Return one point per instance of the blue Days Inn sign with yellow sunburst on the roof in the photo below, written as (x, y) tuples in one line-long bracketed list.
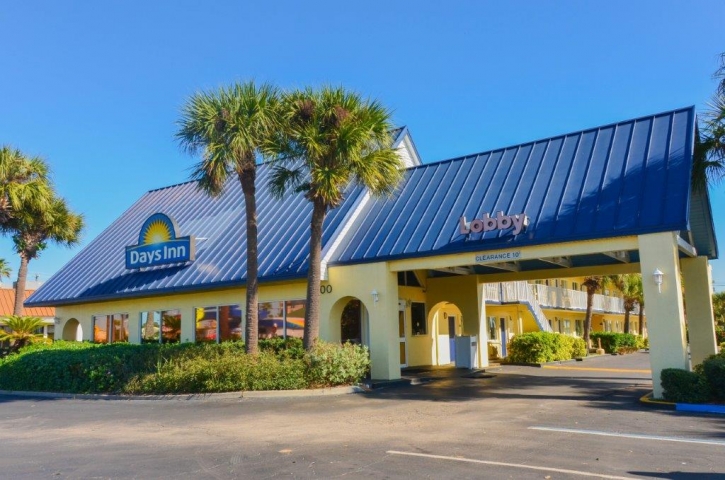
[(158, 244)]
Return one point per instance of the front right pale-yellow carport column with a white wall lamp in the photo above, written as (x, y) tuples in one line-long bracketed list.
[(665, 312)]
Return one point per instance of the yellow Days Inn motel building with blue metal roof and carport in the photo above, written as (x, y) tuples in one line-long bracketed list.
[(446, 262)]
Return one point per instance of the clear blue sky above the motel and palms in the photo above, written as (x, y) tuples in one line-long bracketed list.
[(96, 87)]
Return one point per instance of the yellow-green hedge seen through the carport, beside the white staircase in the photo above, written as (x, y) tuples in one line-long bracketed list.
[(541, 347)]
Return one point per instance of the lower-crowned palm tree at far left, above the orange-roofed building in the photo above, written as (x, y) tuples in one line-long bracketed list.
[(33, 229)]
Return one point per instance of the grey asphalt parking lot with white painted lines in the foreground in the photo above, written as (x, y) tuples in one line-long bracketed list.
[(574, 420)]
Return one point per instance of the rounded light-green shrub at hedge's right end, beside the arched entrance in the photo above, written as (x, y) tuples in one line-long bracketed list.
[(332, 364)]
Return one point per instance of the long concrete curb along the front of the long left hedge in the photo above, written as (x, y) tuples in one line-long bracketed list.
[(204, 397)]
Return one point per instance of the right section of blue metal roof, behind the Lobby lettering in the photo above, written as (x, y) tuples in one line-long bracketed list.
[(627, 178)]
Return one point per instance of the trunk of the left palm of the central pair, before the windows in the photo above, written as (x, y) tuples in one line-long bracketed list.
[(247, 178)]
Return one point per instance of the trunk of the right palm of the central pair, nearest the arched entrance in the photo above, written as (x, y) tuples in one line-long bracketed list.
[(312, 314)]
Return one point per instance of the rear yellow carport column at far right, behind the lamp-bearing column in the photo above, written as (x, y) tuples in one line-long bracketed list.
[(698, 298)]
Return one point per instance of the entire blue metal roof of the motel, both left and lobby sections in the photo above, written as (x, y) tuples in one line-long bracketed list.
[(626, 178)]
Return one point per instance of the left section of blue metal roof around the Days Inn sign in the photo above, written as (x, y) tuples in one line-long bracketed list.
[(98, 272)]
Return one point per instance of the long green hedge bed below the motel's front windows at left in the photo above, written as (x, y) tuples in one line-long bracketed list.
[(75, 367)]
